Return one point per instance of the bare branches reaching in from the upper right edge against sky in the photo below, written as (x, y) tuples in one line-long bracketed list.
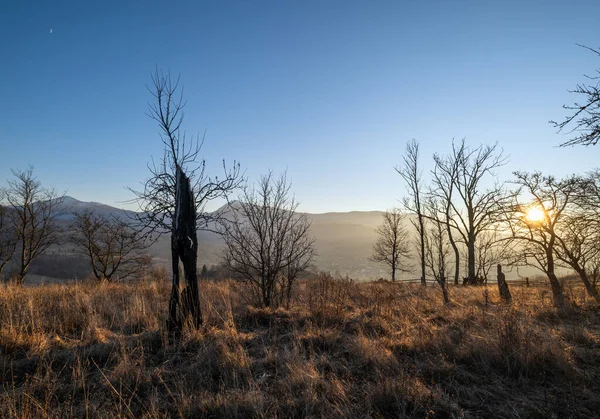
[(585, 117)]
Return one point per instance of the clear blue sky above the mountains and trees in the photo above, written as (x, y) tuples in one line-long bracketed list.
[(329, 90)]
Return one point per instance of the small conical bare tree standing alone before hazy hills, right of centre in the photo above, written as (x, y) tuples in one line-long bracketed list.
[(392, 247)]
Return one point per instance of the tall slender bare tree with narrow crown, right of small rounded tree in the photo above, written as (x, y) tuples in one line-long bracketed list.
[(412, 175)]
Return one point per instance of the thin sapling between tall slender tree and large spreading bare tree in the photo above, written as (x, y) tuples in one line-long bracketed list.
[(437, 250)]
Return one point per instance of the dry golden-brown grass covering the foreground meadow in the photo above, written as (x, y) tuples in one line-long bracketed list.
[(342, 350)]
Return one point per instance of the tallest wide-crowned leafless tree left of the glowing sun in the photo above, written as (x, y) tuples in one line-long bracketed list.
[(474, 209)]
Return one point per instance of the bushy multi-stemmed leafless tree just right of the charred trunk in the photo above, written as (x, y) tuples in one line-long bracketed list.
[(268, 243)]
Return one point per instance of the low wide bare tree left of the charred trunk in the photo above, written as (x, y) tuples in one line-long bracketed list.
[(112, 248)]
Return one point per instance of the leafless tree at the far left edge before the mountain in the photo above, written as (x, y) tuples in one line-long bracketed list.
[(34, 211)]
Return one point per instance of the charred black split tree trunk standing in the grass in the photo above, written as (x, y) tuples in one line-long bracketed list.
[(184, 249)]
